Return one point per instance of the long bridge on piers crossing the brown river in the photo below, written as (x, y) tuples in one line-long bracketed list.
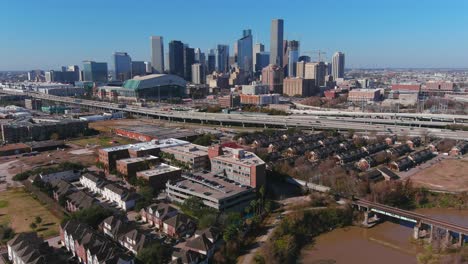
[(425, 227)]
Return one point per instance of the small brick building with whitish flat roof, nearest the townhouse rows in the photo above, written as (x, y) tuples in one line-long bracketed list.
[(159, 174)]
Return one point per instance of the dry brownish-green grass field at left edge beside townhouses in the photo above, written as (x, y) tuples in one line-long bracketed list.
[(18, 209)]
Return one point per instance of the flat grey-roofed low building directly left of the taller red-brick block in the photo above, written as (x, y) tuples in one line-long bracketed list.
[(195, 156)]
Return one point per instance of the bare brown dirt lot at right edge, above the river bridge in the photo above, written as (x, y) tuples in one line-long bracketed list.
[(448, 175)]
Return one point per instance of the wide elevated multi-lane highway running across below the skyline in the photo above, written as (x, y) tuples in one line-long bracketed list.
[(315, 121)]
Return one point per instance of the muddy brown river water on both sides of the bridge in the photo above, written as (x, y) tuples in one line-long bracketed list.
[(388, 242)]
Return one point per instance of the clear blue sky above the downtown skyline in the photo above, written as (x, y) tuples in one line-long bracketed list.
[(46, 34)]
